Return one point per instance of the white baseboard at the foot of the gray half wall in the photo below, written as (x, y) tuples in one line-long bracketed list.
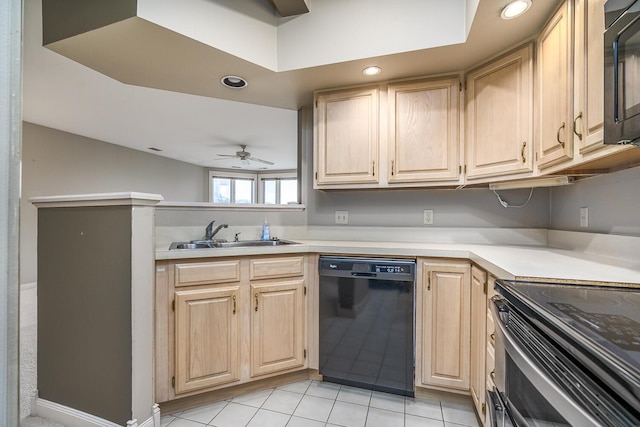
[(71, 417)]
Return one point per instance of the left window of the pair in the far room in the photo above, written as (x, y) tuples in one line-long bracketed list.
[(229, 187)]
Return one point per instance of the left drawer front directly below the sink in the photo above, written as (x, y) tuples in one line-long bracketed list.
[(207, 272)]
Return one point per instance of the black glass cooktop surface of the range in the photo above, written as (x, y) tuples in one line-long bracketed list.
[(599, 325)]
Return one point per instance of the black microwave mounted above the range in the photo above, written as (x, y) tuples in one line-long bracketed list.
[(622, 72)]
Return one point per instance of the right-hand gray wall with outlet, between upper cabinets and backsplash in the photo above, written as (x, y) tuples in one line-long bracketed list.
[(613, 201)]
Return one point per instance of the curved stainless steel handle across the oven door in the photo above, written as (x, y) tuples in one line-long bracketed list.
[(571, 411)]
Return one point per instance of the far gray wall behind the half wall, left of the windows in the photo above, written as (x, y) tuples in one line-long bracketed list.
[(56, 162)]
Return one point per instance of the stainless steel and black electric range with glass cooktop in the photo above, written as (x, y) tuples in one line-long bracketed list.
[(565, 355)]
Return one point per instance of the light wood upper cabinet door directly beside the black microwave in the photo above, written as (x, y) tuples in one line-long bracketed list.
[(588, 122)]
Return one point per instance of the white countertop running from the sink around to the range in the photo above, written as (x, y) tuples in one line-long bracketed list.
[(503, 261)]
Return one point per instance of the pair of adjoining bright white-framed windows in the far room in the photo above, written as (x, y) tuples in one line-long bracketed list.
[(241, 188)]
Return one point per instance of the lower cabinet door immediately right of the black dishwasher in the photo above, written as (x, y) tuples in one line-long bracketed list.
[(445, 325)]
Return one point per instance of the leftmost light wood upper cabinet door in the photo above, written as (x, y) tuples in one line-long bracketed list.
[(347, 137)]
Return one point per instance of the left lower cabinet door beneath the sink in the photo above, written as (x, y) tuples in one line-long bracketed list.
[(206, 338)]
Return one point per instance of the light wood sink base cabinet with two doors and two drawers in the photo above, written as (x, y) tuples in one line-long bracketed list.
[(228, 321)]
